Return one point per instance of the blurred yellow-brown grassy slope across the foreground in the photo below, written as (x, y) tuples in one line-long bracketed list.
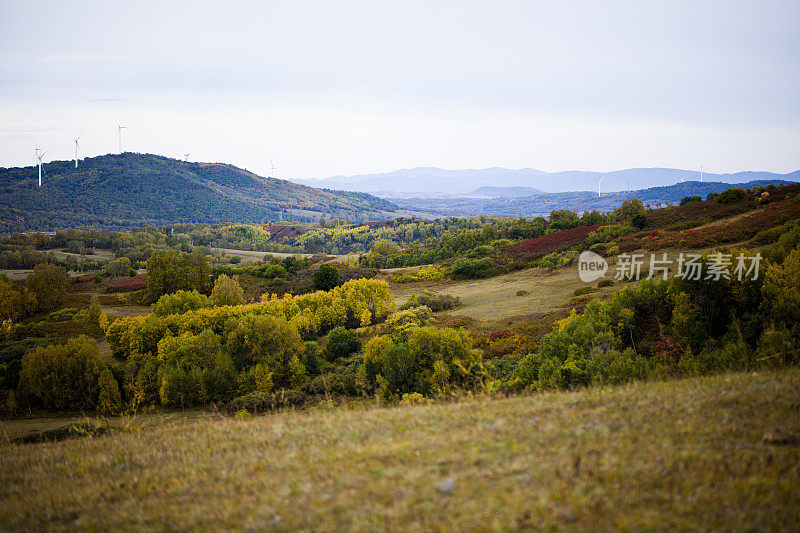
[(705, 453)]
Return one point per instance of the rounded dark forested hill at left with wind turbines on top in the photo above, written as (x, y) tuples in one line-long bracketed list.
[(118, 191)]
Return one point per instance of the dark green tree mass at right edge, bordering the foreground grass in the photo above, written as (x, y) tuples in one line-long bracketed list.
[(676, 327)]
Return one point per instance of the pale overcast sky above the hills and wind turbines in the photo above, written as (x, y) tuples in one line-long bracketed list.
[(330, 88)]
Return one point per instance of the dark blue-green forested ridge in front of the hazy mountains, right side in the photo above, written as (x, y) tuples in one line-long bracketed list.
[(543, 204)]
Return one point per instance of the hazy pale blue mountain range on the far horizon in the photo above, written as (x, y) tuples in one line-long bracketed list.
[(427, 181)]
